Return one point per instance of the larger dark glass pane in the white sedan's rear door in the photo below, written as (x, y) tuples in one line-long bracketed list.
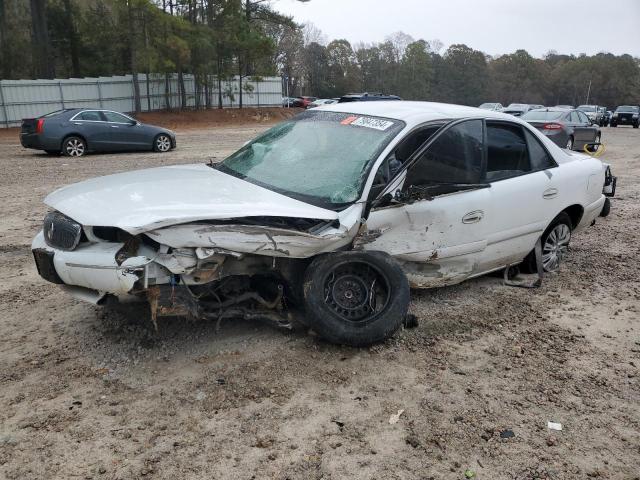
[(507, 152)]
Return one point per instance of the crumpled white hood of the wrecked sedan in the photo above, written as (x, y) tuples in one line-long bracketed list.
[(143, 200)]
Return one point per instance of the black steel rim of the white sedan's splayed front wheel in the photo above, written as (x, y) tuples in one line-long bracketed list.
[(356, 291)]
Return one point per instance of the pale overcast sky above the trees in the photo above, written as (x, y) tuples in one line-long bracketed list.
[(493, 26)]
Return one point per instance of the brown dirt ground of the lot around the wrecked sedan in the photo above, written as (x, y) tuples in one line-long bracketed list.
[(88, 393)]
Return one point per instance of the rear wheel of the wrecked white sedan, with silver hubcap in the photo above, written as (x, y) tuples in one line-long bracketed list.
[(551, 257)]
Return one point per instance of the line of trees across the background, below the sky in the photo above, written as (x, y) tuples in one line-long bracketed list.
[(218, 39)]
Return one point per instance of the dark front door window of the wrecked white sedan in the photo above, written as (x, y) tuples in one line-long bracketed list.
[(454, 157)]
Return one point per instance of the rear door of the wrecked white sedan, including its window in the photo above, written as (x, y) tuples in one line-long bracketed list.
[(523, 193)]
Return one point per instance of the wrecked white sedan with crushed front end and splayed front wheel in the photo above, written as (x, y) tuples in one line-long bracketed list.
[(328, 218)]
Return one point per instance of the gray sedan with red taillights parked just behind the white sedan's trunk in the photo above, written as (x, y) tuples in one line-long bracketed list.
[(569, 129)]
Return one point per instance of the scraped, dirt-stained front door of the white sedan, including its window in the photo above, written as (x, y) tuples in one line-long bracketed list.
[(435, 226)]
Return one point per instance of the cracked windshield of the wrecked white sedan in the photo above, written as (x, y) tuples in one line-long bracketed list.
[(318, 157)]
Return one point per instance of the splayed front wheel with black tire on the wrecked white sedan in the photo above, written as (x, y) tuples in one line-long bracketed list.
[(355, 298)]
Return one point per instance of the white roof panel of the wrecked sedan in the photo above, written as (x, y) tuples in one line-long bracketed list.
[(412, 113)]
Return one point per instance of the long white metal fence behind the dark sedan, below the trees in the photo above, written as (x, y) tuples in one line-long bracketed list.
[(31, 98)]
